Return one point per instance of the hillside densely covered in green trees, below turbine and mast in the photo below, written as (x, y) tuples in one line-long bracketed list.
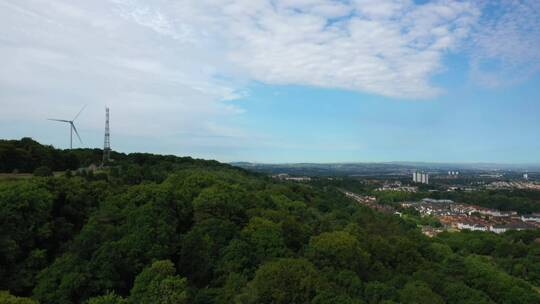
[(165, 229)]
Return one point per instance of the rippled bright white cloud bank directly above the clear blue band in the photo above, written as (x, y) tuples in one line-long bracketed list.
[(390, 48)]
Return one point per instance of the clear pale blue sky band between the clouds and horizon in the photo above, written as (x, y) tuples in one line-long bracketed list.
[(469, 125)]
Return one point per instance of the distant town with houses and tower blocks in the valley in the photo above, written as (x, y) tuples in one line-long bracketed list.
[(437, 197)]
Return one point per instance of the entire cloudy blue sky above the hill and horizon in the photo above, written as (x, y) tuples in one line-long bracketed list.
[(277, 81)]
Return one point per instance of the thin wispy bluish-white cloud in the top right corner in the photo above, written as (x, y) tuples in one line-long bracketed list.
[(505, 46)]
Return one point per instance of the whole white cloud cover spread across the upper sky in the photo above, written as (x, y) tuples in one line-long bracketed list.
[(175, 66)]
